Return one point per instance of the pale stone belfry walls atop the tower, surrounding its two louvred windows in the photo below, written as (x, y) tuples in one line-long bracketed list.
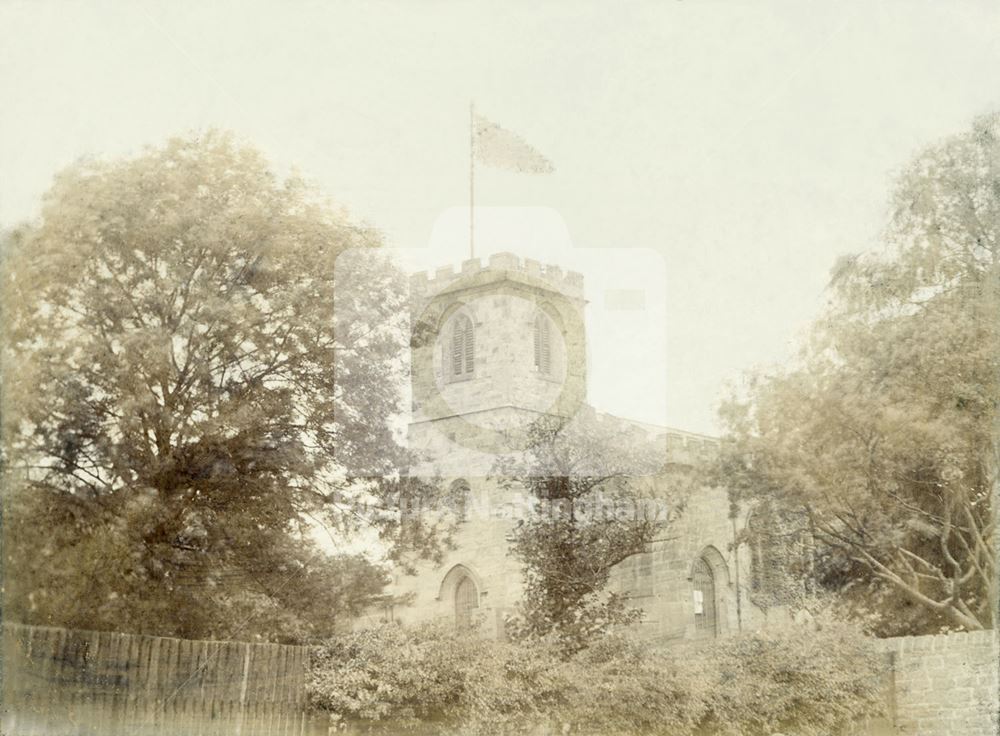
[(502, 300)]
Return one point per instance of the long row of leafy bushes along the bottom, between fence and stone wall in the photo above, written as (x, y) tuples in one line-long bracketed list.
[(808, 681)]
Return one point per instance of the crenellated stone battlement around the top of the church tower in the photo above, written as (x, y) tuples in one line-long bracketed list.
[(424, 284)]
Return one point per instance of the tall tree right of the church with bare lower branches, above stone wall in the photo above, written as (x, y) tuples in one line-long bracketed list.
[(884, 434)]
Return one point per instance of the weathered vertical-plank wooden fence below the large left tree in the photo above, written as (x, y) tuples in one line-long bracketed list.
[(69, 683)]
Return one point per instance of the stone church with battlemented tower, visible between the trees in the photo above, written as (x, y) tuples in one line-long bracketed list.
[(496, 346)]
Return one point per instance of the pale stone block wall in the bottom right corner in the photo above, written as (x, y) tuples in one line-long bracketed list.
[(945, 685)]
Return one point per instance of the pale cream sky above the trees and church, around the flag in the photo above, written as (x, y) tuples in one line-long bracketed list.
[(714, 157)]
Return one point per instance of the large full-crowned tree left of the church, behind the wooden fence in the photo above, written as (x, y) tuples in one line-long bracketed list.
[(185, 404)]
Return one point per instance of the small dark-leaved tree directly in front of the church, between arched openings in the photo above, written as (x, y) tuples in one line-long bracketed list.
[(597, 501)]
